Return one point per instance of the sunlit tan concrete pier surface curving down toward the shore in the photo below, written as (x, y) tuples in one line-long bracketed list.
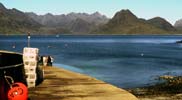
[(60, 84)]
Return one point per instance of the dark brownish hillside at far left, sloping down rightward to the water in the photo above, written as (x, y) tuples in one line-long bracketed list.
[(13, 21)]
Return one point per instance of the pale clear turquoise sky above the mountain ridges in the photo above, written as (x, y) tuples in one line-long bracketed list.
[(168, 9)]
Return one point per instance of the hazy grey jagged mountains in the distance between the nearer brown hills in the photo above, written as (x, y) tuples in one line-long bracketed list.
[(80, 23)]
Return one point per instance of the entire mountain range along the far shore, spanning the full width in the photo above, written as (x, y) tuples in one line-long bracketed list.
[(13, 21)]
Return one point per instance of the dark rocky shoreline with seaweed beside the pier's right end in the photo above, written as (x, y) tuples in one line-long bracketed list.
[(169, 89)]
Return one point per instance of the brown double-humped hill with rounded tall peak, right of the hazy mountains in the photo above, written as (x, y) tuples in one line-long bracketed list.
[(125, 22)]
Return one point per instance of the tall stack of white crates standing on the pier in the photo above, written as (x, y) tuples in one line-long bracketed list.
[(30, 60)]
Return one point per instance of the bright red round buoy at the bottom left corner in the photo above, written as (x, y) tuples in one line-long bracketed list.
[(18, 92)]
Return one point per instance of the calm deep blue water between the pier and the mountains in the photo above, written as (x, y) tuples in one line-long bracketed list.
[(124, 61)]
